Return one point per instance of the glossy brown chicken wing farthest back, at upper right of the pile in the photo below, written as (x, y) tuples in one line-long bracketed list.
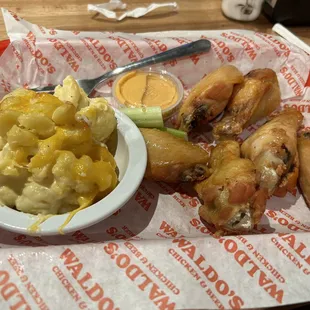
[(257, 97)]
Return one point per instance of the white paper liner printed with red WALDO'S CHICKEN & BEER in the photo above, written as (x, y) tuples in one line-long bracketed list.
[(155, 253)]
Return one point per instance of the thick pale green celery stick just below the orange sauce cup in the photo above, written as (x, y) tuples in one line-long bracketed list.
[(145, 117)]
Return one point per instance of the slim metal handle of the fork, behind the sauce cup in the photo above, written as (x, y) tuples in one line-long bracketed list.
[(188, 49)]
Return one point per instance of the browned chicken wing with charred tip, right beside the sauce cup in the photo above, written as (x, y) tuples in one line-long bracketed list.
[(209, 97)]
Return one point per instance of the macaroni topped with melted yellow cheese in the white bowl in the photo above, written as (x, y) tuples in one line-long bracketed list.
[(49, 160)]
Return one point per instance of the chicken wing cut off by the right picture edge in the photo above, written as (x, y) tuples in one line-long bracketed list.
[(304, 169)]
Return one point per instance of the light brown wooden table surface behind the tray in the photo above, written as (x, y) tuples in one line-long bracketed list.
[(192, 15)]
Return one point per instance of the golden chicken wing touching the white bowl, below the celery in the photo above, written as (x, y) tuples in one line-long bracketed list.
[(172, 159)]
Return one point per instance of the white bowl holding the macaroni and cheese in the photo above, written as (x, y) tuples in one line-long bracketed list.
[(131, 157)]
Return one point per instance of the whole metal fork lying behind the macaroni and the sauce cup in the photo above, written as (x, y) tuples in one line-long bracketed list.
[(178, 52)]
